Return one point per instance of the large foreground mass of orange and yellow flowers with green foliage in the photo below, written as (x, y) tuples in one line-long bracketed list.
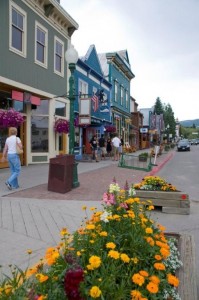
[(118, 253)]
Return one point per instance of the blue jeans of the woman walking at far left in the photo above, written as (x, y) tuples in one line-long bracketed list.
[(15, 168)]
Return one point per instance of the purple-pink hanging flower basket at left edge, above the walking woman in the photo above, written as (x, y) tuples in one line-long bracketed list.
[(10, 118)]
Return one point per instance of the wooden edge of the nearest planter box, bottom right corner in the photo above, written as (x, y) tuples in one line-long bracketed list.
[(187, 273)]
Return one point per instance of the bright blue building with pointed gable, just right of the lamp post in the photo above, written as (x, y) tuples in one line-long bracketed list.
[(92, 85)]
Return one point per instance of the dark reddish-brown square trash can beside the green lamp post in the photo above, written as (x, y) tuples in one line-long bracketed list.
[(60, 177)]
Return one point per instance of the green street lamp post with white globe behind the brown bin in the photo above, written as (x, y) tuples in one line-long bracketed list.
[(71, 57)]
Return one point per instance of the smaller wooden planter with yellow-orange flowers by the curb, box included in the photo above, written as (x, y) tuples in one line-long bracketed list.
[(163, 194)]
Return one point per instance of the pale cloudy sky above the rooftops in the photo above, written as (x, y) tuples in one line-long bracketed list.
[(162, 41)]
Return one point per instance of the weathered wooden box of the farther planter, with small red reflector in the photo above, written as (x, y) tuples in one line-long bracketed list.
[(171, 202)]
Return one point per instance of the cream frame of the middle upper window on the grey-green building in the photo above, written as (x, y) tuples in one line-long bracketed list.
[(42, 28)]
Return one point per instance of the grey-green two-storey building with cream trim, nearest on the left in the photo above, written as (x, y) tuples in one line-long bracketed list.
[(33, 73)]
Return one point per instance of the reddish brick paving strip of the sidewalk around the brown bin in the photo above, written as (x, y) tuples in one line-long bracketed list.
[(94, 183)]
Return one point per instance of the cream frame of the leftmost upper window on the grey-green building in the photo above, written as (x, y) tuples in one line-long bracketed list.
[(19, 10)]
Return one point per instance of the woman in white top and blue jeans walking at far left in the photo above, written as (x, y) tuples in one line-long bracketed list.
[(13, 158)]
